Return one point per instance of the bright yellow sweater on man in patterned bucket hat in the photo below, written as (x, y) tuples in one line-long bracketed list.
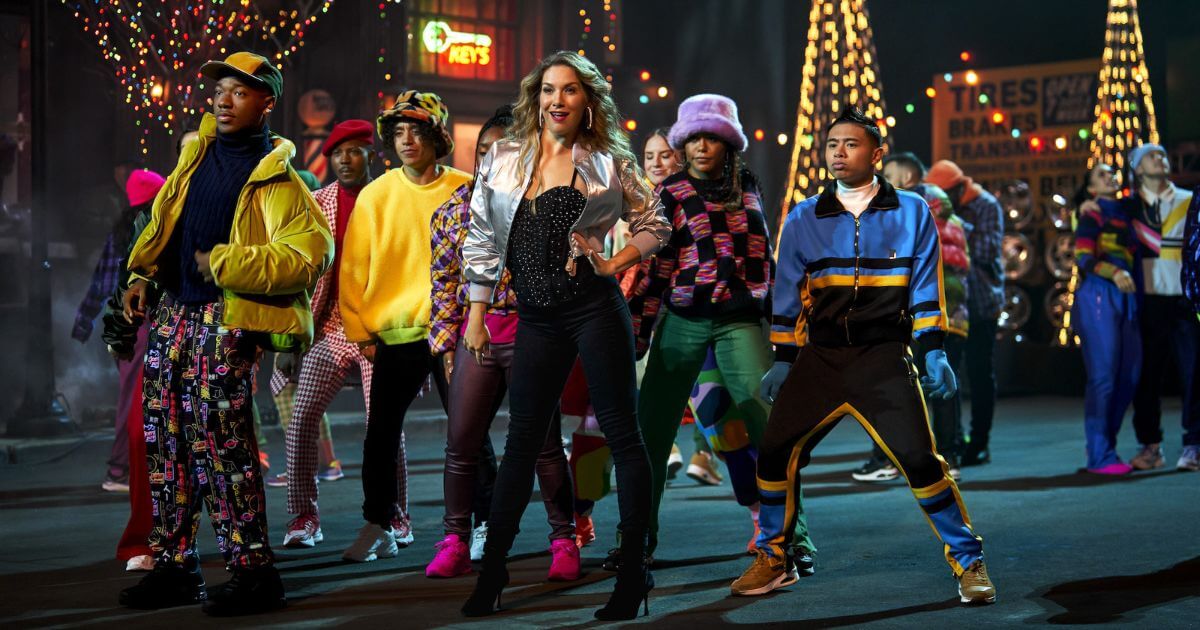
[(385, 284)]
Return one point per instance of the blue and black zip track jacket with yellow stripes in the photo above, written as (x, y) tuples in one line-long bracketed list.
[(845, 281)]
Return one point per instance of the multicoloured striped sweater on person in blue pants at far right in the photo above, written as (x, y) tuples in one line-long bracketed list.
[(1106, 241)]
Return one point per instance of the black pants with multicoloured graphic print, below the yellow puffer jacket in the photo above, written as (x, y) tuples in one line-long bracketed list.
[(200, 436)]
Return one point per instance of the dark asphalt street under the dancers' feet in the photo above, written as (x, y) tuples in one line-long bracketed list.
[(1063, 547)]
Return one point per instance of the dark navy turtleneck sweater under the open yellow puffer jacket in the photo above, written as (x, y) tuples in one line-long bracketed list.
[(211, 206)]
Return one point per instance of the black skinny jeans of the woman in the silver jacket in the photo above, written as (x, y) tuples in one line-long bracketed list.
[(597, 328)]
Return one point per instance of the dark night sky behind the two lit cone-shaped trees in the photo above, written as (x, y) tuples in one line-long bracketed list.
[(754, 51)]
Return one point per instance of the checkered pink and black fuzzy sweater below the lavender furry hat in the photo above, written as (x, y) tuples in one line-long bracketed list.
[(718, 262)]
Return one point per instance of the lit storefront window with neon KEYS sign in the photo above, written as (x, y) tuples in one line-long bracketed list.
[(464, 39)]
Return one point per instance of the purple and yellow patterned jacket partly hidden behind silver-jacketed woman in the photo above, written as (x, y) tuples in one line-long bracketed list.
[(451, 286)]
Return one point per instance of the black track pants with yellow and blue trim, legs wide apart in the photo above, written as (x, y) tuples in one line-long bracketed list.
[(878, 387)]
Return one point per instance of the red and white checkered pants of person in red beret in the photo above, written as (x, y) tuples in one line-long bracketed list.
[(323, 373)]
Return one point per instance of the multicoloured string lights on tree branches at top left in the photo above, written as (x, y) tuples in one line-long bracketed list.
[(157, 52)]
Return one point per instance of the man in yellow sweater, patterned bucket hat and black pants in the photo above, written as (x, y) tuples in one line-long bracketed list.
[(385, 296)]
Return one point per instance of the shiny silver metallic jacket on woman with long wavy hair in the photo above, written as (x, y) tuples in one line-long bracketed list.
[(501, 184)]
